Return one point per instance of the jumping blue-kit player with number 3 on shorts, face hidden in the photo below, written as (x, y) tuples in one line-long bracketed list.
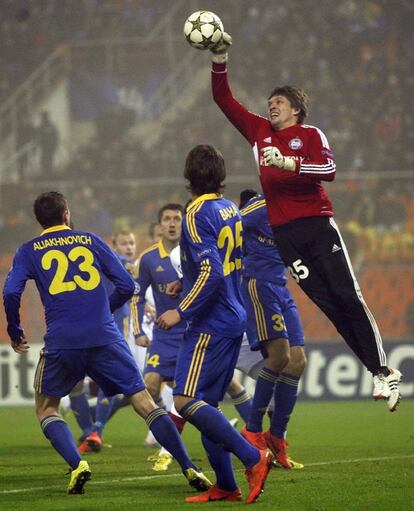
[(273, 325)]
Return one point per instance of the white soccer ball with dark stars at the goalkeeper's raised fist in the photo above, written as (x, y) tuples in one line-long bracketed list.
[(203, 30)]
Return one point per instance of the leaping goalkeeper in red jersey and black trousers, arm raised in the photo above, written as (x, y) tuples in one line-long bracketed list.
[(293, 159)]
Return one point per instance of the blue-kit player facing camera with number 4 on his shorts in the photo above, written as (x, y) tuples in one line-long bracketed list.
[(154, 269)]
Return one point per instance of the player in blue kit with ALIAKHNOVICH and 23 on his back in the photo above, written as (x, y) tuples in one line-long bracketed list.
[(81, 337)]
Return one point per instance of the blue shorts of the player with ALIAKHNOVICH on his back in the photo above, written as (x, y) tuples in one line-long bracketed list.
[(111, 366)]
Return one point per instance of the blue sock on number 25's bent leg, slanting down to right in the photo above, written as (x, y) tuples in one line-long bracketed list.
[(215, 426)]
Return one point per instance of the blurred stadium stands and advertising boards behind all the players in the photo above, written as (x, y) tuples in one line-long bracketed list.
[(129, 98)]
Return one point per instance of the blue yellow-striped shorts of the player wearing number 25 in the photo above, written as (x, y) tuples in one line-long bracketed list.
[(205, 366)]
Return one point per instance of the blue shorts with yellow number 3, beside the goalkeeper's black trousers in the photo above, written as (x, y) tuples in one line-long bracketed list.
[(271, 313)]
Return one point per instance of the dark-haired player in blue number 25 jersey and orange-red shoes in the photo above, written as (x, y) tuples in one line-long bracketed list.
[(212, 305)]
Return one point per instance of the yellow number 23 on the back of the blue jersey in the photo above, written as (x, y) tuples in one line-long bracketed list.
[(59, 284)]
